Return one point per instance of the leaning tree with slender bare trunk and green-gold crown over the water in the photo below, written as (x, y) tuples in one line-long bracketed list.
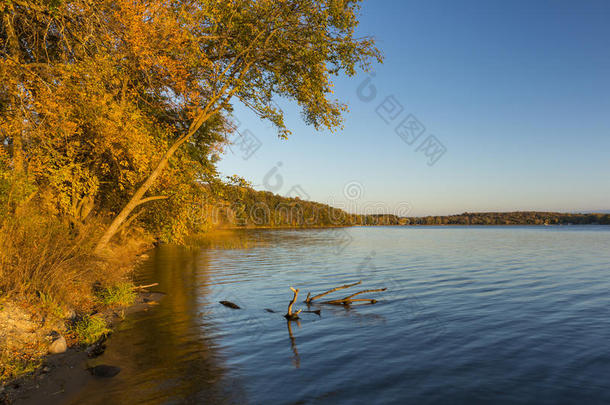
[(211, 52)]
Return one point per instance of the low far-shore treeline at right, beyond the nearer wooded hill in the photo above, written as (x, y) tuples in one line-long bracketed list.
[(511, 218)]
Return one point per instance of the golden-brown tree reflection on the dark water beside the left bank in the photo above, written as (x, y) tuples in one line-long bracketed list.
[(167, 353)]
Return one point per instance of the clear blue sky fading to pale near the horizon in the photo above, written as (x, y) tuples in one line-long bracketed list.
[(517, 93)]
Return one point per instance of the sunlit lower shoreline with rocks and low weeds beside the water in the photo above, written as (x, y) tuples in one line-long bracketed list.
[(30, 327)]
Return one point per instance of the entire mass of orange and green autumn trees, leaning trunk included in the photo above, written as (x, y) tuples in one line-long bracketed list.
[(107, 106)]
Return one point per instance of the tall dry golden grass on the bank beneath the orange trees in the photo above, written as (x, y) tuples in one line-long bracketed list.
[(52, 260)]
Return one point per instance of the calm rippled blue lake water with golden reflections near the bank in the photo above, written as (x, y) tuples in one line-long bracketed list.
[(472, 314)]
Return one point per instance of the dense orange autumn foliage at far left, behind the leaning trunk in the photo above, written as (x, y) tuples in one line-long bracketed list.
[(84, 117)]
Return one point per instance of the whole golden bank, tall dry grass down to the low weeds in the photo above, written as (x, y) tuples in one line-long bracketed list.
[(47, 264)]
